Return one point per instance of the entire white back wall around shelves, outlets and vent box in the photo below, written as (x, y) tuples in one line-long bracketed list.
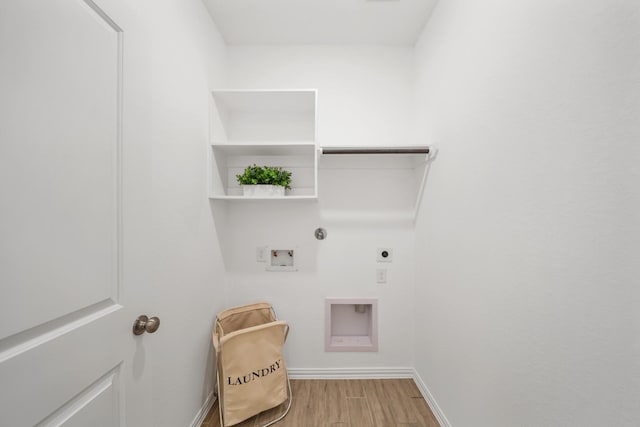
[(364, 99)]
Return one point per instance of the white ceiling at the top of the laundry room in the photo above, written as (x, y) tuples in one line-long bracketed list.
[(269, 22)]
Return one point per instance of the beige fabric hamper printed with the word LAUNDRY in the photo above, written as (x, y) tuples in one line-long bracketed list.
[(251, 376)]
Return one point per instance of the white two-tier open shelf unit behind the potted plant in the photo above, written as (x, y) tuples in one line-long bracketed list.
[(265, 127)]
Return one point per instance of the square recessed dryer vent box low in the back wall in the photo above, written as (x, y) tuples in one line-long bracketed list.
[(351, 324)]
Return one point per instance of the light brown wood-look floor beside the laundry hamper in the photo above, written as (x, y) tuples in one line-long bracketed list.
[(346, 403)]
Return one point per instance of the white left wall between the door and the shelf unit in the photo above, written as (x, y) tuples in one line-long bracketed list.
[(188, 59)]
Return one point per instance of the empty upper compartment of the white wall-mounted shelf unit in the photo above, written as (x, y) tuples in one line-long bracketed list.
[(265, 116)]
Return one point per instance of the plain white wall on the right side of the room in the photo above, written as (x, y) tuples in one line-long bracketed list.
[(527, 270)]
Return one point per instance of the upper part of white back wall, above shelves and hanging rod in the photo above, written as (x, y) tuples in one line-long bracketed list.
[(364, 92)]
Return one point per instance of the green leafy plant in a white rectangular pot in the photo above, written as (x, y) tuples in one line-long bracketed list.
[(264, 181)]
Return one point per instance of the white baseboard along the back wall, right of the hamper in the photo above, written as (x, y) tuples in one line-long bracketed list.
[(349, 373)]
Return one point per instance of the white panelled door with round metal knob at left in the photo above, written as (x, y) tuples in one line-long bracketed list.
[(73, 182)]
